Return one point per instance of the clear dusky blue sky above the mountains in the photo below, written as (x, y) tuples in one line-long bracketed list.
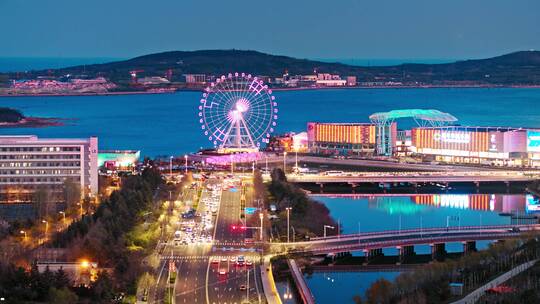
[(301, 28)]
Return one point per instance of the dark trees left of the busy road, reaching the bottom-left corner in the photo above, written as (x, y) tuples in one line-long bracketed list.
[(101, 237)]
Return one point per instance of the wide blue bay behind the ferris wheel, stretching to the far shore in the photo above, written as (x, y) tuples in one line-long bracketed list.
[(167, 124)]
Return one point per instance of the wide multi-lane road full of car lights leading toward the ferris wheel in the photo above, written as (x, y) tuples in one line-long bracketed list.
[(207, 272)]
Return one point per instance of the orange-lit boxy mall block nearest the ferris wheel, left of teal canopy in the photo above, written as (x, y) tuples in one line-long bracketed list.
[(341, 138)]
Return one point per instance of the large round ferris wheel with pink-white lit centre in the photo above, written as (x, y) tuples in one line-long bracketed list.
[(238, 112)]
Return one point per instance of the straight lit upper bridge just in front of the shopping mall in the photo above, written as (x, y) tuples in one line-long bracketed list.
[(416, 177)]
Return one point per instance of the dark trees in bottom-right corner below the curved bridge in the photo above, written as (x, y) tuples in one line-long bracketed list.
[(430, 284)]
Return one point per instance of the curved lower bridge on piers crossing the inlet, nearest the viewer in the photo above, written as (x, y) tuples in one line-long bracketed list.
[(405, 240)]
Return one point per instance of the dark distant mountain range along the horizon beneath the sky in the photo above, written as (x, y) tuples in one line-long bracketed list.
[(519, 68)]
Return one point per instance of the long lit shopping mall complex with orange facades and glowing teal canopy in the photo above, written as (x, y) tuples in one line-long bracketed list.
[(433, 139)]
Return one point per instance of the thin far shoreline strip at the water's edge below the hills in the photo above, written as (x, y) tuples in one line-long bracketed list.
[(286, 89)]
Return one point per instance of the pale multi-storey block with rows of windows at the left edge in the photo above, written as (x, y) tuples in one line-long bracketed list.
[(28, 163)]
